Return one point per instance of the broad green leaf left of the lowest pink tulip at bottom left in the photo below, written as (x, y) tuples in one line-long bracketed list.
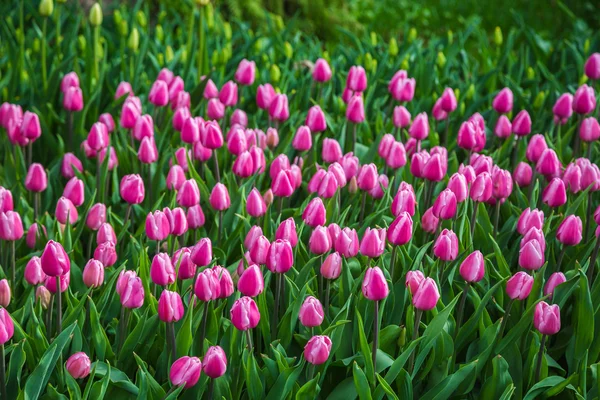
[(38, 379)]
